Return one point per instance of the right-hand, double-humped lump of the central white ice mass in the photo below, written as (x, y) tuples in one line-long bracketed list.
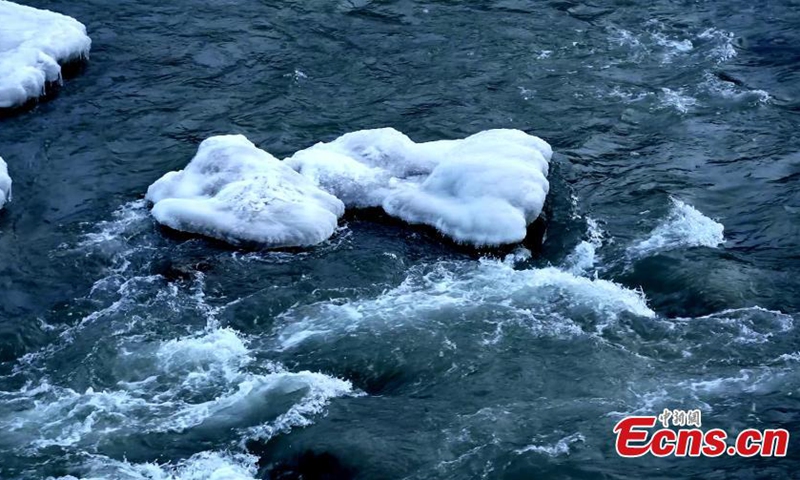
[(482, 190)]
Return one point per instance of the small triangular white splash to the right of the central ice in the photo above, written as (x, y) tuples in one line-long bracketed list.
[(684, 227)]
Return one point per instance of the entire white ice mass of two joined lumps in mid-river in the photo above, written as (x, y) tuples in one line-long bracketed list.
[(483, 190)]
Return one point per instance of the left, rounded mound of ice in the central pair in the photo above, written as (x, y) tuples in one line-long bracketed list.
[(235, 192)]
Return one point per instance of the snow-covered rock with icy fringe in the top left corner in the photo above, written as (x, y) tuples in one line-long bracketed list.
[(33, 44)]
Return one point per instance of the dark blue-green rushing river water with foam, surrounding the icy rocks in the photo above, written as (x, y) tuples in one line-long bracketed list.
[(669, 277)]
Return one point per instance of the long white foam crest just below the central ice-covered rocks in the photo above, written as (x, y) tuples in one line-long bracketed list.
[(543, 299)]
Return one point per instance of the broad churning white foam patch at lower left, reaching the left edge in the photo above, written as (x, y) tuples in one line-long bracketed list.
[(195, 385)]
